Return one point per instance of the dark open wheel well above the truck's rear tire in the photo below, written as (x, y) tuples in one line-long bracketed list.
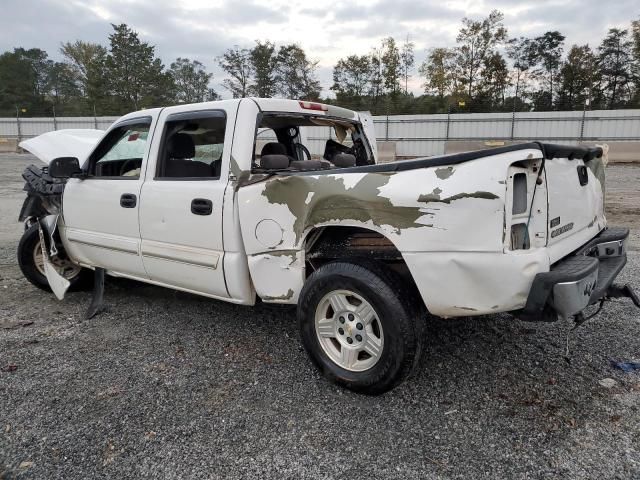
[(354, 244)]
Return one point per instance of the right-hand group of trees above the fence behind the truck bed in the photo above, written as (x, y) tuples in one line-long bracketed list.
[(488, 71)]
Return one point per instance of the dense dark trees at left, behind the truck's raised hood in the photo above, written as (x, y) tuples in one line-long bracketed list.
[(127, 75)]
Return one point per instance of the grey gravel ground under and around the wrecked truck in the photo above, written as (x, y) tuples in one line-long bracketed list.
[(169, 385)]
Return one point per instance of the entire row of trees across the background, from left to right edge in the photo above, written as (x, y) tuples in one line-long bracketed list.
[(485, 71)]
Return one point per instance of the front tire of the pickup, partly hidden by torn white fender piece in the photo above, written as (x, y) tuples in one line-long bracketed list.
[(80, 278)]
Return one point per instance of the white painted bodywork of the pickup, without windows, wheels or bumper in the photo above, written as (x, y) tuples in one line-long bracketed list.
[(473, 231)]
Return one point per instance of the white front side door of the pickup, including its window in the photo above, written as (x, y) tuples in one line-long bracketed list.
[(100, 212)]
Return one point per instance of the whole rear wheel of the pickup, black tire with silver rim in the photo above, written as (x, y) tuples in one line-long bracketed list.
[(394, 333)]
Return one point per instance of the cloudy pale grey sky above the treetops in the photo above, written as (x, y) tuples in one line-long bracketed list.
[(327, 30)]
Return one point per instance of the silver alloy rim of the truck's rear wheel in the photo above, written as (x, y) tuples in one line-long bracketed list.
[(349, 330)]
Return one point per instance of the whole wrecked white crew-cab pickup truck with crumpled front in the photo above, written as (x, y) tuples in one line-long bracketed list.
[(283, 201)]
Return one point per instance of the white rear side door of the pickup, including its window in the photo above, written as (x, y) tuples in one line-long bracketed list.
[(182, 201)]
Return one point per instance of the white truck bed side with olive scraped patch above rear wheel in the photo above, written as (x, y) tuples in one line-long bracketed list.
[(438, 218)]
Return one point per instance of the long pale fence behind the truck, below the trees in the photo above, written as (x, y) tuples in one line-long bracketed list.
[(405, 136)]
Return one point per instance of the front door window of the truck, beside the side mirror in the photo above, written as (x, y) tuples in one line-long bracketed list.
[(121, 153)]
